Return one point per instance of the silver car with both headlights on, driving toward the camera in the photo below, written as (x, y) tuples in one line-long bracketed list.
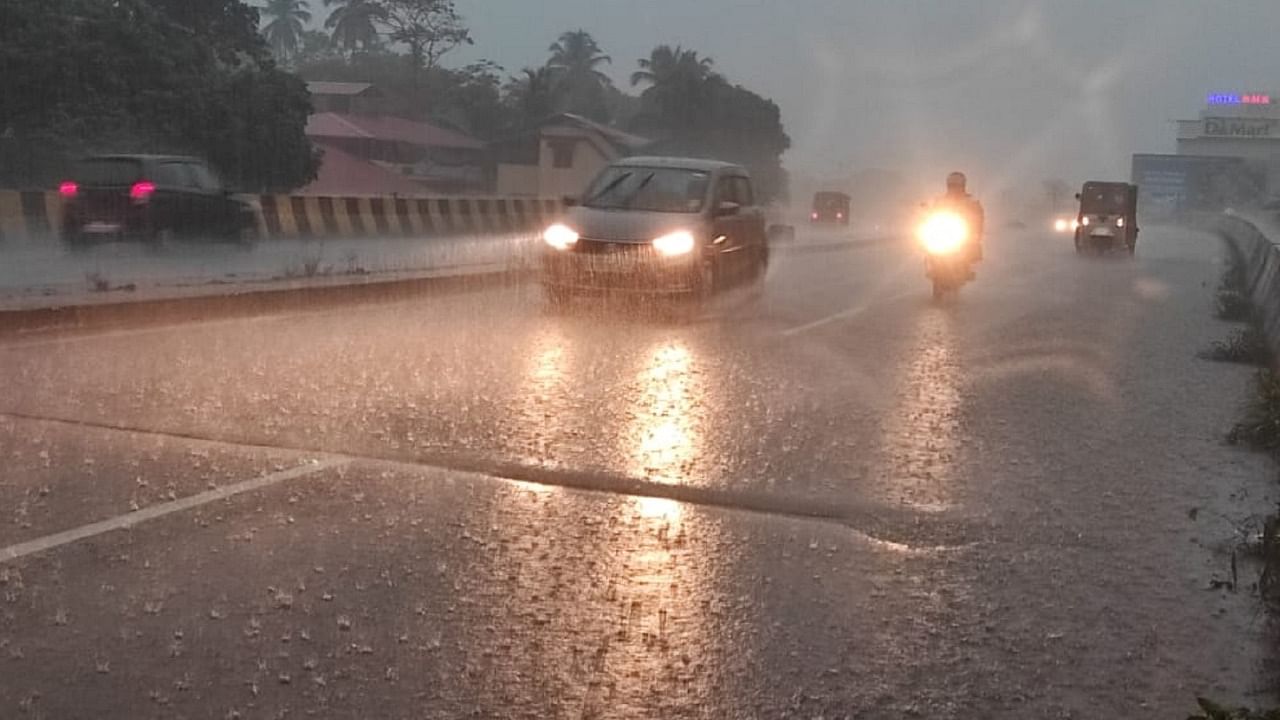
[(661, 226)]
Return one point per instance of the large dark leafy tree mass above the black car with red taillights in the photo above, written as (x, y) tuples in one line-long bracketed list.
[(214, 93)]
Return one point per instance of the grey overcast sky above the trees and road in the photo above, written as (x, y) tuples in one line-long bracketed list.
[(1012, 92)]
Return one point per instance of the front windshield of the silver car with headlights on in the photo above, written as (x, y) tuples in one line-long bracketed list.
[(659, 190)]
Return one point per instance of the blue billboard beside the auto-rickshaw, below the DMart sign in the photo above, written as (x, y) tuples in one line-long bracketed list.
[(1171, 185)]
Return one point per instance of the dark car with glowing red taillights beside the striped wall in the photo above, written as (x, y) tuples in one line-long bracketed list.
[(153, 199)]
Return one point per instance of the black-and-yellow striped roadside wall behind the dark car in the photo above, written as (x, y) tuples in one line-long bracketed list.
[(31, 216)]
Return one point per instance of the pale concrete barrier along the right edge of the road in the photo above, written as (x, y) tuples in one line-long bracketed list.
[(1254, 252)]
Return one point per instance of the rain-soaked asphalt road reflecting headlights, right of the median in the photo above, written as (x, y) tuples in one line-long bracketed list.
[(822, 498)]
